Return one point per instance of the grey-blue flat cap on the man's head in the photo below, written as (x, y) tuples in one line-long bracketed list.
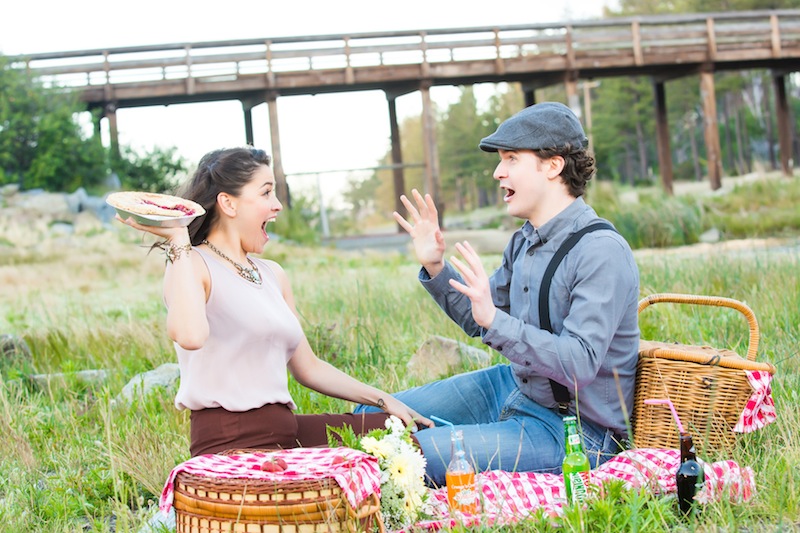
[(540, 126)]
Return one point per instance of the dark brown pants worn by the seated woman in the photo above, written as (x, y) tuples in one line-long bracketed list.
[(269, 427)]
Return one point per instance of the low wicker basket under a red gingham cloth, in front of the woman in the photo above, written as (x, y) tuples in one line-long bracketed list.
[(205, 504)]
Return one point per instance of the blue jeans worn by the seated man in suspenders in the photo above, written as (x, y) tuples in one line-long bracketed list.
[(503, 428)]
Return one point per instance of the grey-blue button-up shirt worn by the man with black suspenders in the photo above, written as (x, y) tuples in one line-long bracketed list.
[(593, 311)]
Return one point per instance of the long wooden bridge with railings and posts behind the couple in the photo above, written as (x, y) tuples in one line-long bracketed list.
[(255, 71)]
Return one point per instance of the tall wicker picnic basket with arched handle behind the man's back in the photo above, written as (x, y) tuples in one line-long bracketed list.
[(707, 386)]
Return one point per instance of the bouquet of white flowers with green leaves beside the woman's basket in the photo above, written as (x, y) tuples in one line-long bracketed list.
[(404, 496)]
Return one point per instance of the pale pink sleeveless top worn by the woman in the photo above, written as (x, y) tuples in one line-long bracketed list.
[(253, 334)]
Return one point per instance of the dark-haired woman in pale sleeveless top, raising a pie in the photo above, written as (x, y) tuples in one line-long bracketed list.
[(234, 323)]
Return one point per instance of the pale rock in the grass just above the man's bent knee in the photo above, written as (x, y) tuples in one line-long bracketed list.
[(439, 356)]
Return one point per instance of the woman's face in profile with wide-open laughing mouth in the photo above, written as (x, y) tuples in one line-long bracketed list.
[(256, 206)]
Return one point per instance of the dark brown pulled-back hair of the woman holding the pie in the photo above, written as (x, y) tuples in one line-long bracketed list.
[(227, 171)]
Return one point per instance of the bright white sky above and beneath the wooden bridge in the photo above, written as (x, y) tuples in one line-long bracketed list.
[(318, 133)]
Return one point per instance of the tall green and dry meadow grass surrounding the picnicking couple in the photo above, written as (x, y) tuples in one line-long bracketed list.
[(73, 458)]
